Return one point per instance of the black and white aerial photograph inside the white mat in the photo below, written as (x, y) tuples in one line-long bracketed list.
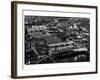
[(53, 39)]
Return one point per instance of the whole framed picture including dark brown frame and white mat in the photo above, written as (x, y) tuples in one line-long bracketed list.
[(53, 39)]
